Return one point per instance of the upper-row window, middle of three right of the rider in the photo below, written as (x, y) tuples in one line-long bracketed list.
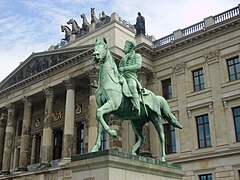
[(198, 79)]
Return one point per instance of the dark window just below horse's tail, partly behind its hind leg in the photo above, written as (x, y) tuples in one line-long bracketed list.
[(170, 139)]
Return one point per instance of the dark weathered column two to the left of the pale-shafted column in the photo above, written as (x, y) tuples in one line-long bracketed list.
[(25, 137)]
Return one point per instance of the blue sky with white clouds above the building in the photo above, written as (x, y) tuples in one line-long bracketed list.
[(29, 26)]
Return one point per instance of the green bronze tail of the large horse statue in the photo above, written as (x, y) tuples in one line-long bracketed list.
[(166, 113)]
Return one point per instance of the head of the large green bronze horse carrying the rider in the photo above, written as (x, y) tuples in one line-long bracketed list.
[(100, 51)]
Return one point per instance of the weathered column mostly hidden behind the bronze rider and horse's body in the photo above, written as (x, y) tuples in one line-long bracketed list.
[(145, 148)]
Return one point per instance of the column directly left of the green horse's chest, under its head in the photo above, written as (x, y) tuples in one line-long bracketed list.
[(92, 107)]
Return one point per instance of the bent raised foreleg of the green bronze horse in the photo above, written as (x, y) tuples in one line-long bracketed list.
[(105, 109)]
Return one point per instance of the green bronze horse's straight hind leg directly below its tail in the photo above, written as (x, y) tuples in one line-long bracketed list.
[(159, 128)]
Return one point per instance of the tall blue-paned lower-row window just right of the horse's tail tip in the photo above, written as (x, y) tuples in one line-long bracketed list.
[(203, 130)]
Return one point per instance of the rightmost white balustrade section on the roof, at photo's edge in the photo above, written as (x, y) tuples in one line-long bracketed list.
[(226, 15)]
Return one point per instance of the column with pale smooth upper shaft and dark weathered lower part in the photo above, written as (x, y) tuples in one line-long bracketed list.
[(69, 120)]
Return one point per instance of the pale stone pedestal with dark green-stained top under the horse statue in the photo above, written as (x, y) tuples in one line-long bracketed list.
[(114, 165)]
